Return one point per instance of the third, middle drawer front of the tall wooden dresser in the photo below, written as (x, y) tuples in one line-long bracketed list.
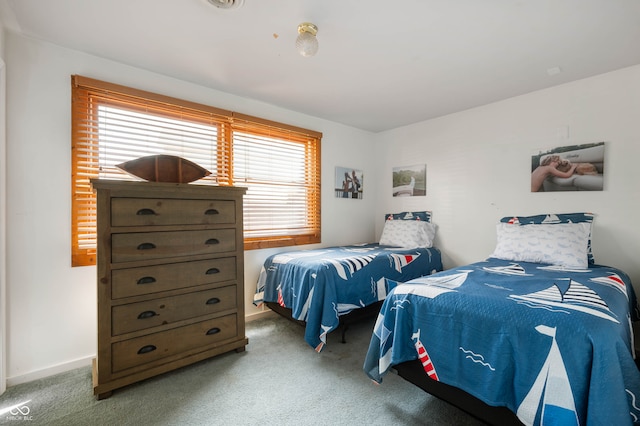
[(170, 276)]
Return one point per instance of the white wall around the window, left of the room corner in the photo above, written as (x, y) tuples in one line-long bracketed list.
[(51, 306)]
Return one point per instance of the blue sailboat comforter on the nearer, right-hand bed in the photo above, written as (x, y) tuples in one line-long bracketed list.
[(553, 345)]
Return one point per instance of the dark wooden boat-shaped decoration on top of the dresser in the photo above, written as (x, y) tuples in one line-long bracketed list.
[(164, 168)]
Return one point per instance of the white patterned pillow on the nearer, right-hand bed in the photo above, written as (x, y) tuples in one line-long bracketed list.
[(562, 244)]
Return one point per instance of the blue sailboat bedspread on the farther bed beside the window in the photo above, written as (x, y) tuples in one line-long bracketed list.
[(320, 285)]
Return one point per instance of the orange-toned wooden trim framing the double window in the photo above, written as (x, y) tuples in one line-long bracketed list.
[(81, 190)]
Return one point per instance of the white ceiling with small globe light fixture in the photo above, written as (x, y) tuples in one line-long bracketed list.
[(380, 64)]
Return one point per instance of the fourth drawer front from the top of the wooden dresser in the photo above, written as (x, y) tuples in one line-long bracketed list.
[(168, 310)]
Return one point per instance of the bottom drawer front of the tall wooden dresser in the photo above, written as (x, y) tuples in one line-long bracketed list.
[(154, 347)]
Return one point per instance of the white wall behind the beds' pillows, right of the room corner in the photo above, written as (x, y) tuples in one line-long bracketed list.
[(479, 164)]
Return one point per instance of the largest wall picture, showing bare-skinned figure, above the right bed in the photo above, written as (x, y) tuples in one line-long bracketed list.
[(568, 168)]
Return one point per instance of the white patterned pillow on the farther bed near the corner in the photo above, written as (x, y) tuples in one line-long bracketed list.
[(408, 233)]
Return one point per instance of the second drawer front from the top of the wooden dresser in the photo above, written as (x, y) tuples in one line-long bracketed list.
[(158, 245)]
